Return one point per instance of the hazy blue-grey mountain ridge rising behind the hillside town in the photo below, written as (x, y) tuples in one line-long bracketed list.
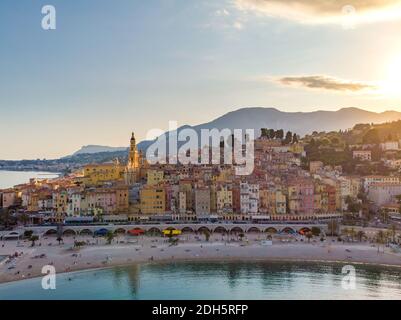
[(301, 123)]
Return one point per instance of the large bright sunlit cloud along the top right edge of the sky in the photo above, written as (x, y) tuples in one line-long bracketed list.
[(325, 11)]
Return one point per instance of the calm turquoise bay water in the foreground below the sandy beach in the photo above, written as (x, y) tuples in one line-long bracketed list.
[(239, 281)]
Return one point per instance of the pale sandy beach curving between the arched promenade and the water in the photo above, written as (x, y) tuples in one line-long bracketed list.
[(125, 250)]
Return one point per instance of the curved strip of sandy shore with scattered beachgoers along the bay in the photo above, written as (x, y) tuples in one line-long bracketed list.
[(105, 256)]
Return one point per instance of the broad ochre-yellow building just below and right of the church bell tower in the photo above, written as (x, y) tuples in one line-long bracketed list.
[(153, 200)]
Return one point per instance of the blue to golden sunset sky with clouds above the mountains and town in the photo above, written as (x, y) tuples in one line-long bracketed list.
[(113, 67)]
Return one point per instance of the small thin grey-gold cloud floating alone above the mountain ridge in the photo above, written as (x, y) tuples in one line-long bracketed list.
[(325, 83)]
